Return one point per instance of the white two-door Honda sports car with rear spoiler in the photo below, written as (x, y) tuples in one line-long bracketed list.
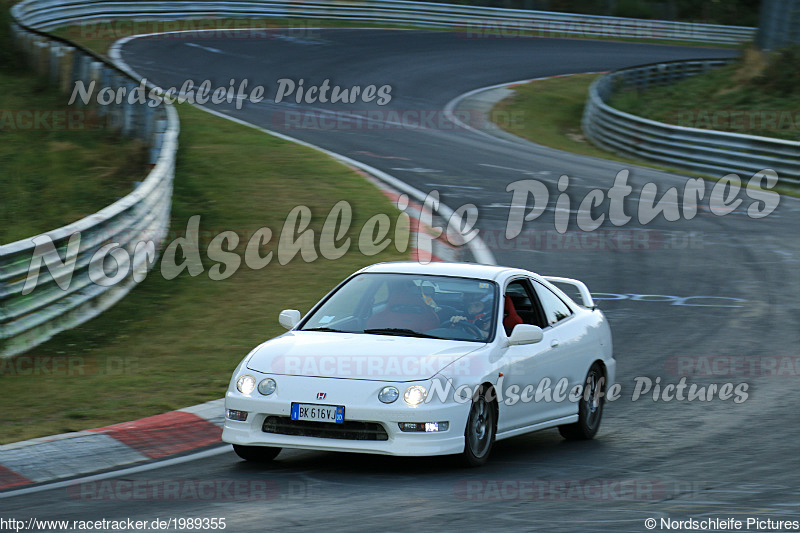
[(411, 359)]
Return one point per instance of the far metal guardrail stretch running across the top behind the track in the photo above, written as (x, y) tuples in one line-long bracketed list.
[(476, 21)]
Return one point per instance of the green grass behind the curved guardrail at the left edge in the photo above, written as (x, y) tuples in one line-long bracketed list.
[(59, 168)]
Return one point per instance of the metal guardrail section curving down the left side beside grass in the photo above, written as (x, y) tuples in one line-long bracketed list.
[(28, 318)]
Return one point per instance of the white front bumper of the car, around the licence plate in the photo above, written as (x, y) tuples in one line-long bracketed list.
[(360, 400)]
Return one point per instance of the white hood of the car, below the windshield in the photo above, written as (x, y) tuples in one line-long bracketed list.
[(358, 356)]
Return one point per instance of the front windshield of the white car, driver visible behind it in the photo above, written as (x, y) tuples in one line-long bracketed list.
[(410, 305)]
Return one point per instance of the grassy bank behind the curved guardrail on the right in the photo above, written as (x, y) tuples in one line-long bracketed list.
[(756, 95)]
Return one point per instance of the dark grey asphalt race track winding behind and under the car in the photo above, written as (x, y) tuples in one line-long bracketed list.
[(728, 286)]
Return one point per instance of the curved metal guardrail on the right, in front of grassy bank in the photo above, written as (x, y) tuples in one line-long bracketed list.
[(701, 150)]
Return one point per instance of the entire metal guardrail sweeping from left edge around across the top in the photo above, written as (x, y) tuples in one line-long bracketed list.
[(143, 215)]
